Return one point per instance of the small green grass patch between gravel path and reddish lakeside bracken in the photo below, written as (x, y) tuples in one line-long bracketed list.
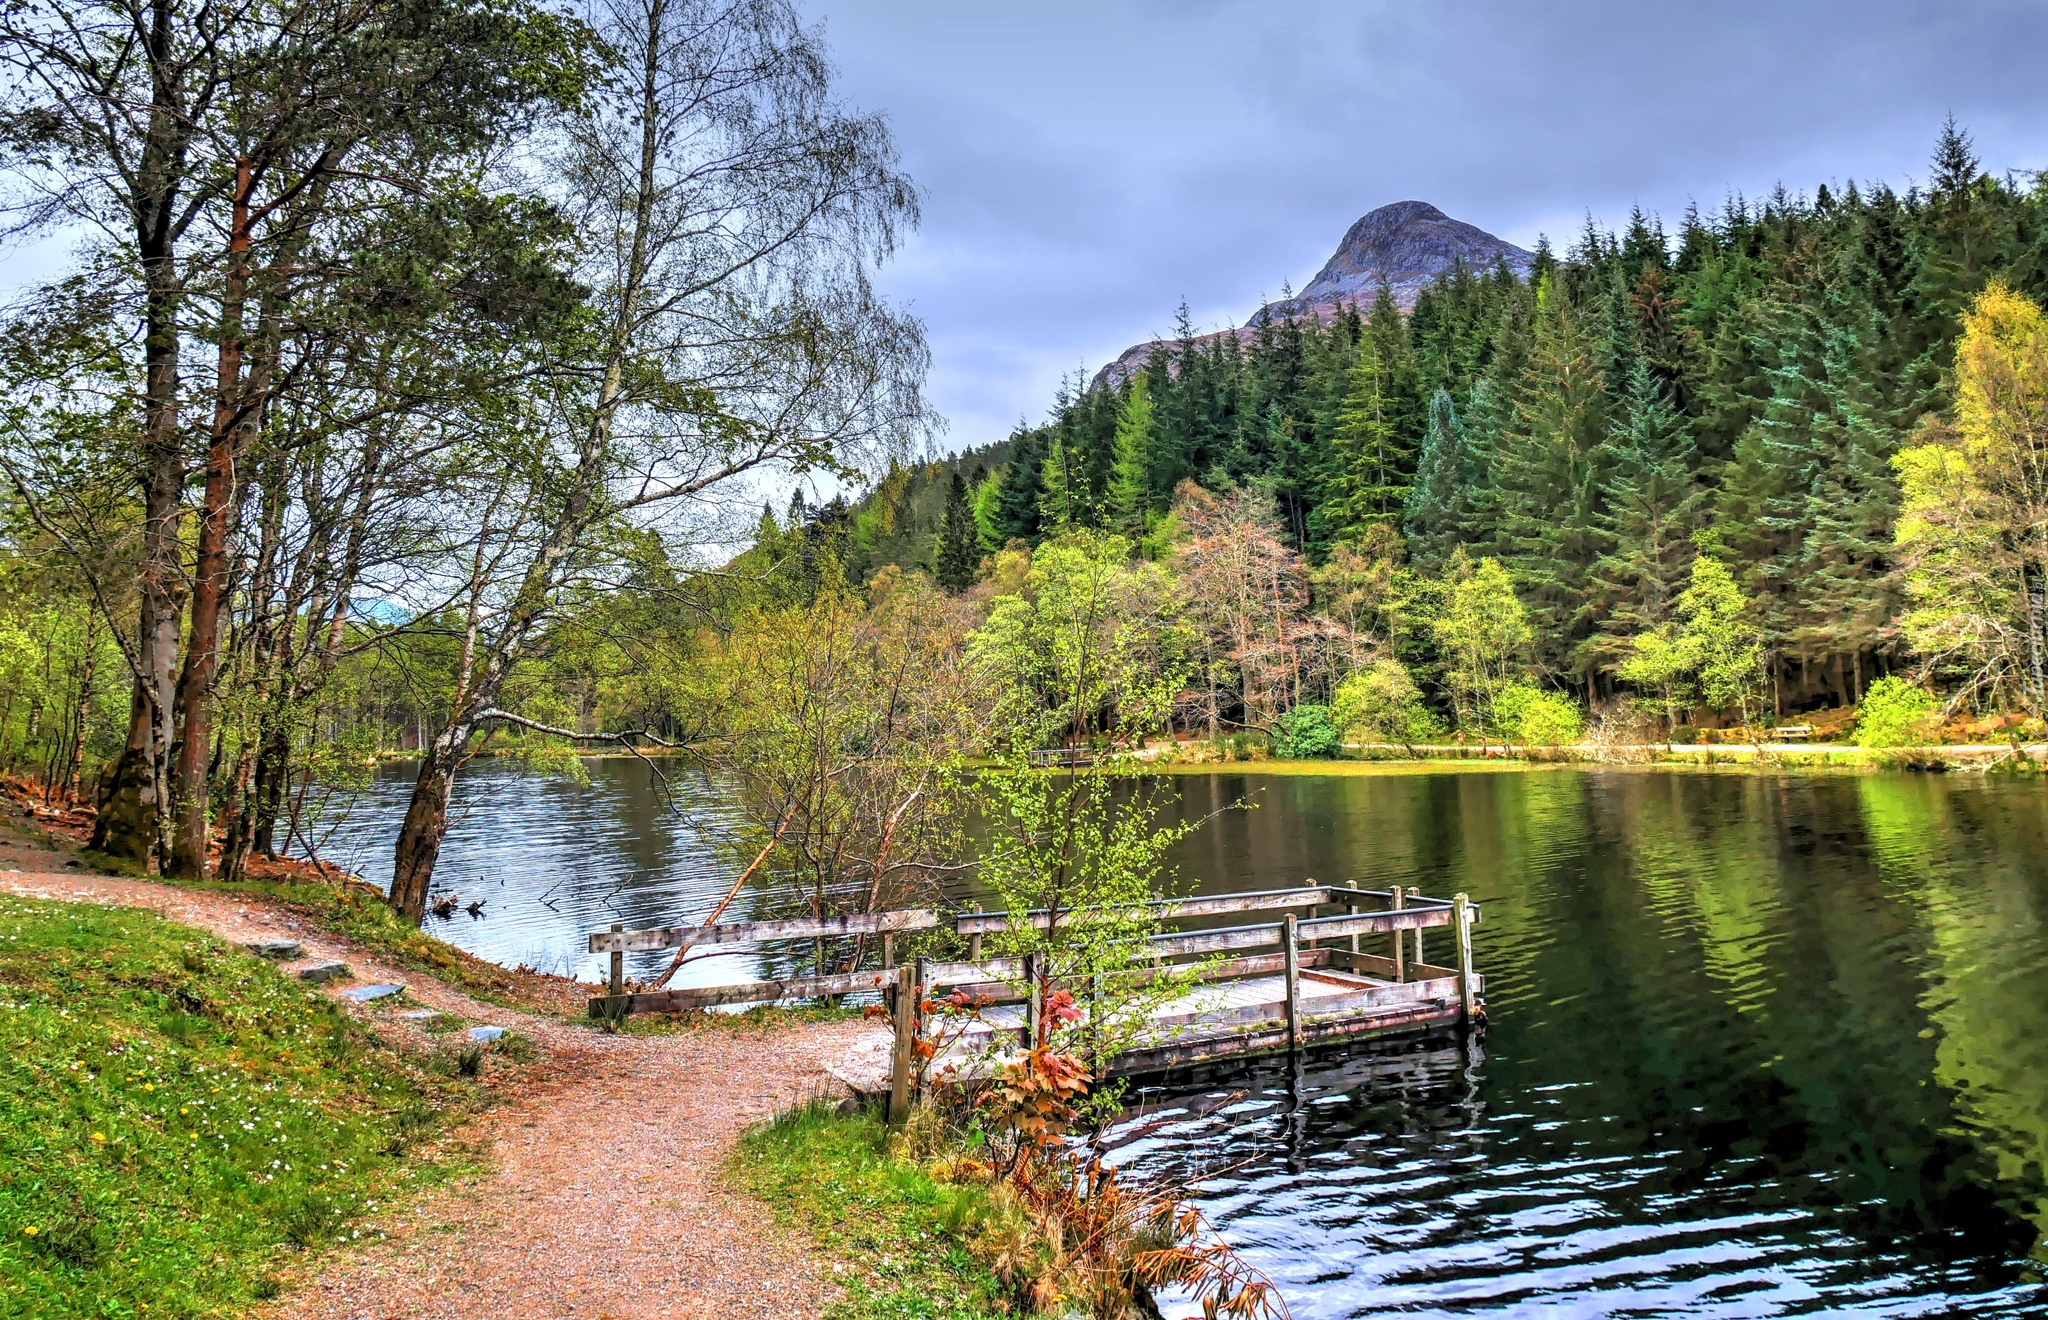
[(900, 1239)]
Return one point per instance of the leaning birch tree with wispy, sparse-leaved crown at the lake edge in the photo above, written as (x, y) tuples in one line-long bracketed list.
[(730, 212)]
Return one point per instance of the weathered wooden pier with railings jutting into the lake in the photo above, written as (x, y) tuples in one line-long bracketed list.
[(1279, 985)]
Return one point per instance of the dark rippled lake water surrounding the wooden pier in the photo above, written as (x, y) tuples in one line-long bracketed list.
[(1760, 1045)]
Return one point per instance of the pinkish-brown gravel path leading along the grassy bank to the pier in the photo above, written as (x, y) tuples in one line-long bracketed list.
[(605, 1196)]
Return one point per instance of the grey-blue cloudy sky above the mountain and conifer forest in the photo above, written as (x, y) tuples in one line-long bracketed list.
[(1091, 165)]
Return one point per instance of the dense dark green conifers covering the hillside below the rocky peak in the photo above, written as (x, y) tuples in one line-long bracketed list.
[(1736, 388)]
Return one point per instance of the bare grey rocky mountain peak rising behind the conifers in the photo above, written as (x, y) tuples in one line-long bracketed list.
[(1404, 247)]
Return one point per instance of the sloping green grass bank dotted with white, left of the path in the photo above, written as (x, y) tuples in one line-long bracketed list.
[(179, 1120)]
